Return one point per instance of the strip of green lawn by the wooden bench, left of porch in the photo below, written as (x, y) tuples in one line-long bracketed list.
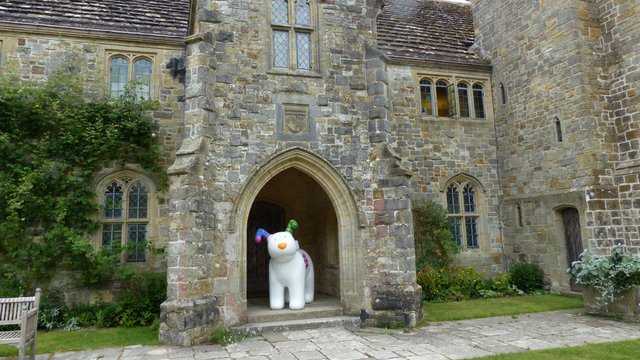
[(87, 339)]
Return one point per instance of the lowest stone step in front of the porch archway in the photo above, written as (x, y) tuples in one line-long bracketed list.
[(297, 324)]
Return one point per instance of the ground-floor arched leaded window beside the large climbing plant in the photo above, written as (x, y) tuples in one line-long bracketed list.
[(125, 216)]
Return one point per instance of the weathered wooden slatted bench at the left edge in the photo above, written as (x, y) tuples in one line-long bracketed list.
[(21, 311)]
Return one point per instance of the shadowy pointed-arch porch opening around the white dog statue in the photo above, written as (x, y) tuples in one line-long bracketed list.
[(292, 194)]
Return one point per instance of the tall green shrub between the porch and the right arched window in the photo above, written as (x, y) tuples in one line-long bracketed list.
[(435, 245)]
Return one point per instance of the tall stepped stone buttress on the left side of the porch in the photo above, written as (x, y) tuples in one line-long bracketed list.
[(191, 309)]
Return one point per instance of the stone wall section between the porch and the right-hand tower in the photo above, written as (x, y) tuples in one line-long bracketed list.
[(435, 149)]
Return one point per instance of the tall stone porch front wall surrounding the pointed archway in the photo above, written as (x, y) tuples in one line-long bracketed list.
[(238, 131)]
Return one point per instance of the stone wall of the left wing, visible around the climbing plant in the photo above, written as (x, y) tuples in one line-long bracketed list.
[(35, 57)]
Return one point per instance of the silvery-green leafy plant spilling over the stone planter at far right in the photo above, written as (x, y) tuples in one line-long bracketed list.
[(608, 274)]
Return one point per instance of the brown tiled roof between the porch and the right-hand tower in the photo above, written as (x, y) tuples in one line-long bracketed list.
[(427, 30)]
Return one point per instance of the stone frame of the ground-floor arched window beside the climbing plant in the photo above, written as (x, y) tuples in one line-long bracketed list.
[(127, 179)]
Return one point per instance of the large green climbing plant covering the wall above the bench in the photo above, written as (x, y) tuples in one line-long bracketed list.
[(52, 141)]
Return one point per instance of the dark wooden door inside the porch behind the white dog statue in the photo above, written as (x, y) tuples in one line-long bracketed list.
[(271, 218)]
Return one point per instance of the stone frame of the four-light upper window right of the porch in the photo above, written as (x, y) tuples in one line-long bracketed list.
[(453, 96)]
